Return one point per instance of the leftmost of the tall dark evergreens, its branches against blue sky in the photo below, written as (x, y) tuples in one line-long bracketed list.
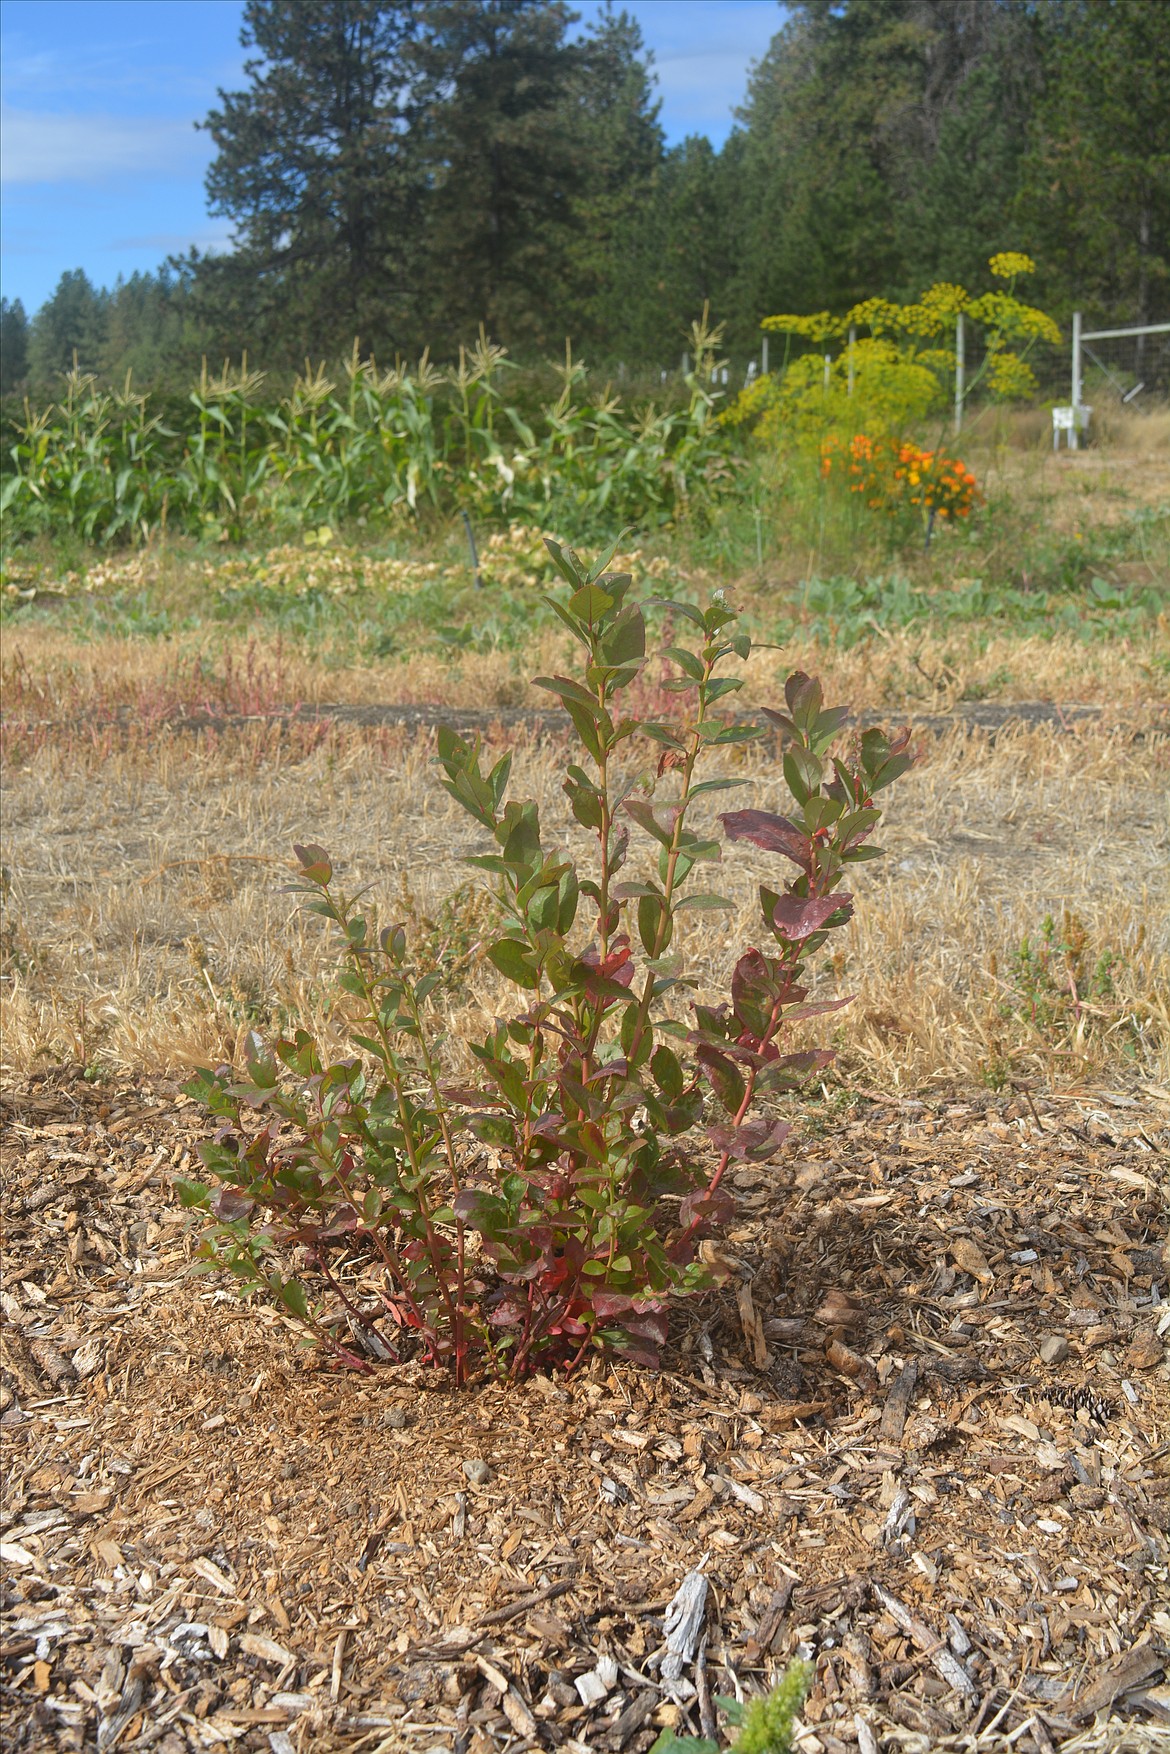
[(315, 171)]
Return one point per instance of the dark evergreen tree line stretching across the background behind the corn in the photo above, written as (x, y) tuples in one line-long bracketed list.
[(404, 173)]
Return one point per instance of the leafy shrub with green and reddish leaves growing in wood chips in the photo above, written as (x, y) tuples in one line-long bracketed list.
[(603, 1123)]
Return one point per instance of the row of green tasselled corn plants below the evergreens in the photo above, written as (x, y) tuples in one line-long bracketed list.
[(383, 446)]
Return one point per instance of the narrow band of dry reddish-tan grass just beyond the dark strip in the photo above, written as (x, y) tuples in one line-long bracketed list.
[(68, 694)]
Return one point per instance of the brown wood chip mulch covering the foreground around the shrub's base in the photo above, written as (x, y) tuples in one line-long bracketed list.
[(922, 1437)]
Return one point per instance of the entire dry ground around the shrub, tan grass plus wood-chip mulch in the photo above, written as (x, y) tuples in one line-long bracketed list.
[(920, 1437)]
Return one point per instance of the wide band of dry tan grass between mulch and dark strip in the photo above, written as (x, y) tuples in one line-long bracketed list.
[(146, 923)]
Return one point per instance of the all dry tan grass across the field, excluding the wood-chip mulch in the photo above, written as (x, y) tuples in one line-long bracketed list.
[(145, 923)]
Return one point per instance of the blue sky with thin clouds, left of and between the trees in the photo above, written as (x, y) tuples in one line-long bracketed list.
[(103, 169)]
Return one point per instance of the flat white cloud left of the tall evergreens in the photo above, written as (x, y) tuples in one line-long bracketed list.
[(69, 148)]
